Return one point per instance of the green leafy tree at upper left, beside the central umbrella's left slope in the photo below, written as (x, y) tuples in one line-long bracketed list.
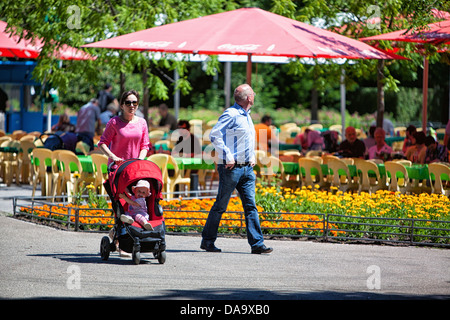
[(80, 21)]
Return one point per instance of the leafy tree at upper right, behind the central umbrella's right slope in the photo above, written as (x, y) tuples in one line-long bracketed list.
[(357, 19)]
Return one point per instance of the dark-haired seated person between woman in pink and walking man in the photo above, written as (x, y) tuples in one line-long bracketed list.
[(187, 145)]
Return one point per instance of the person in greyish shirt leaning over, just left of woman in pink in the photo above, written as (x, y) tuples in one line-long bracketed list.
[(88, 122)]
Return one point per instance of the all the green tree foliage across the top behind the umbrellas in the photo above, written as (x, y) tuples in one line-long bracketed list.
[(277, 85)]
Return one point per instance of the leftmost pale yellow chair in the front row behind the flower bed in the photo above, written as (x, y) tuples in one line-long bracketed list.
[(41, 174)]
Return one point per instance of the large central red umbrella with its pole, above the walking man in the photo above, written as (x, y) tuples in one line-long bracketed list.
[(246, 31)]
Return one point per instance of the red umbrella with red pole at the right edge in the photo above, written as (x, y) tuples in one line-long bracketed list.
[(435, 33)]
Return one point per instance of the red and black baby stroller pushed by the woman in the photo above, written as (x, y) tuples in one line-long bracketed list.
[(133, 238)]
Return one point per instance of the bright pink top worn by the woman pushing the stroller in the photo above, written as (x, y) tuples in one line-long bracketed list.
[(125, 140)]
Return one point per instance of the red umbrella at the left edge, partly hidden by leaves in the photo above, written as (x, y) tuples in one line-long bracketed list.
[(12, 46)]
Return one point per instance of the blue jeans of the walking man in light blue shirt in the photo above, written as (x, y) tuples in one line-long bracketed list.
[(243, 180)]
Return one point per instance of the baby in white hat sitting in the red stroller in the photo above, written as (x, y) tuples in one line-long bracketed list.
[(137, 206)]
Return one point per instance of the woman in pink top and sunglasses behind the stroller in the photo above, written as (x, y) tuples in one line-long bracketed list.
[(125, 136)]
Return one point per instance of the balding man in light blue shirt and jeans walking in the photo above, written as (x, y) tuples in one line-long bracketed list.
[(234, 140)]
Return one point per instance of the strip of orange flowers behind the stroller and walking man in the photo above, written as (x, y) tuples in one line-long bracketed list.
[(187, 215)]
